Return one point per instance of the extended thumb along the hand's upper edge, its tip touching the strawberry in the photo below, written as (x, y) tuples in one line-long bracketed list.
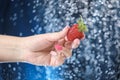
[(58, 35)]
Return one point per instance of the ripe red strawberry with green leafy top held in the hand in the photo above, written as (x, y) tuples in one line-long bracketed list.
[(77, 31)]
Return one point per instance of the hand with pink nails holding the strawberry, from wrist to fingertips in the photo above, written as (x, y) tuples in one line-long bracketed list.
[(40, 49)]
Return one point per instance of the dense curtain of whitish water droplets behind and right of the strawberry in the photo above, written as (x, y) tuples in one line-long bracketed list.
[(95, 58)]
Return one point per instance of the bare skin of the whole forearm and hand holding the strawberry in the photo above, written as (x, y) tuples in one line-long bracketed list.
[(37, 49)]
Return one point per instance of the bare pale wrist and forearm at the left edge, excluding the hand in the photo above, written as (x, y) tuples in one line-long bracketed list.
[(10, 49)]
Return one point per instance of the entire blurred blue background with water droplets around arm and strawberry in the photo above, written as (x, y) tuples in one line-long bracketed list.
[(97, 57)]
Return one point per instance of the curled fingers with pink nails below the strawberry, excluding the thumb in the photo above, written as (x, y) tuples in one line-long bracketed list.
[(61, 53)]
